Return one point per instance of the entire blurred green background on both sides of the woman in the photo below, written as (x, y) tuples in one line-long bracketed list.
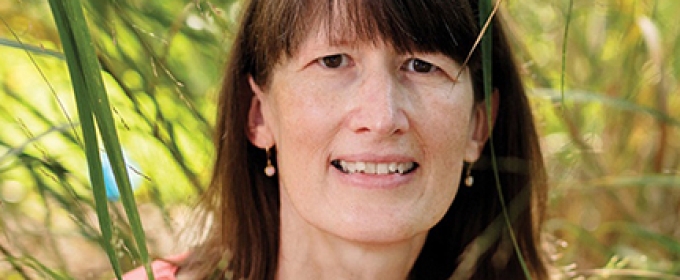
[(610, 139)]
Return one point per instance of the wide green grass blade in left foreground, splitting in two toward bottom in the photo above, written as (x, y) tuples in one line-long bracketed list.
[(92, 101)]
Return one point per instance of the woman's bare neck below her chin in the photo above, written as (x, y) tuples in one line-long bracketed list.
[(307, 252)]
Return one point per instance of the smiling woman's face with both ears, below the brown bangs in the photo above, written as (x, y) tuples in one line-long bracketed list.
[(370, 142)]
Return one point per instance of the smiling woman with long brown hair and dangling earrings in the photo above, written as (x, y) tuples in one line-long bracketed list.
[(352, 143)]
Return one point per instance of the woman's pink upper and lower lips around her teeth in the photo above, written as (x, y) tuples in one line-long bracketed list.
[(374, 181)]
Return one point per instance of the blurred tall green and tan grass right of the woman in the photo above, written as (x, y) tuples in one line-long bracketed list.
[(610, 137)]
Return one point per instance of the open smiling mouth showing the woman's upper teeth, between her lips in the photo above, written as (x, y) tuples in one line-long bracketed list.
[(375, 168)]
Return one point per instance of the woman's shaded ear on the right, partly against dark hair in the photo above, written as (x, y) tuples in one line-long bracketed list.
[(481, 126)]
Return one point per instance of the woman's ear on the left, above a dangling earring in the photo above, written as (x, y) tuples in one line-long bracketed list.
[(259, 132)]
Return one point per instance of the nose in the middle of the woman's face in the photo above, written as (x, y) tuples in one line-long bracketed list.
[(379, 105)]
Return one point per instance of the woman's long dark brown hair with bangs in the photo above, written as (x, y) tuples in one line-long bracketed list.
[(243, 237)]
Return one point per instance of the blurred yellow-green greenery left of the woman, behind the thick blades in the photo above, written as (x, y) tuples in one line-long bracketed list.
[(161, 65)]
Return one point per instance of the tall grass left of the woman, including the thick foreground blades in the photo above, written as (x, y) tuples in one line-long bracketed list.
[(44, 188)]
